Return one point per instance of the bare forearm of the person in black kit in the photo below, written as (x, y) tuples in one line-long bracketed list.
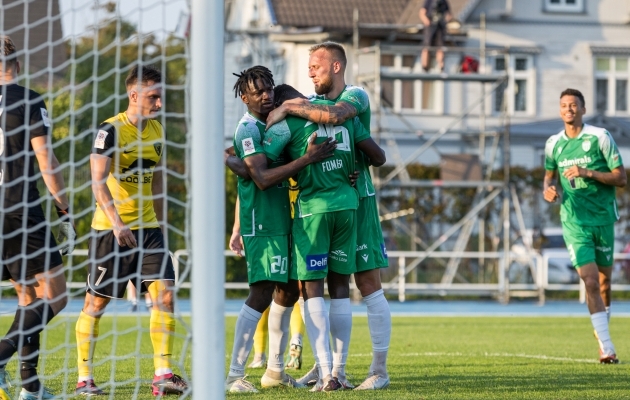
[(49, 166)]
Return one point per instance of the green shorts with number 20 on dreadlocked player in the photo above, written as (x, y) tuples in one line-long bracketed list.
[(267, 258)]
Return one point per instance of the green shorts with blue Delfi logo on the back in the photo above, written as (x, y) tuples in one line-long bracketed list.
[(323, 241)]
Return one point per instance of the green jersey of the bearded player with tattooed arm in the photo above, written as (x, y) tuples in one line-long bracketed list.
[(358, 98)]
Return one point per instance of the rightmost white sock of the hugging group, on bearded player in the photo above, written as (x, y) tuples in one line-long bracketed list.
[(380, 324)]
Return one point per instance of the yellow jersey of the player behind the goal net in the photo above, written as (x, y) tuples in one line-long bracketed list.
[(134, 156)]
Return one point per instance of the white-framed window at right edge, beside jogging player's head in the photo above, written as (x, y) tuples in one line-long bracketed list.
[(611, 85)]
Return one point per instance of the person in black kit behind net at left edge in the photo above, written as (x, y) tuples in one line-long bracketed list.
[(30, 256)]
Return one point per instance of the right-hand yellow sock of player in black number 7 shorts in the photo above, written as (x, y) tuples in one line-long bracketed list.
[(162, 331)]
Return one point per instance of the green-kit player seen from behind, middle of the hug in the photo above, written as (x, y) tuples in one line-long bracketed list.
[(324, 230)]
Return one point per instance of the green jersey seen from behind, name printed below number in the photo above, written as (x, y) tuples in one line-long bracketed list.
[(324, 186)]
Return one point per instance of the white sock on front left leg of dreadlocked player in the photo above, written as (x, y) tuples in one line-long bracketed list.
[(243, 339)]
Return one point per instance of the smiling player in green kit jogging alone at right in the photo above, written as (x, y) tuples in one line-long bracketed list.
[(590, 167)]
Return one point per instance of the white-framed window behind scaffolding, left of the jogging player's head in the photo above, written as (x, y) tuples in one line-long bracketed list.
[(516, 95)]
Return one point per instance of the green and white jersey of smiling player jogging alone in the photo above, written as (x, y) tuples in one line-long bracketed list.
[(585, 202)]
